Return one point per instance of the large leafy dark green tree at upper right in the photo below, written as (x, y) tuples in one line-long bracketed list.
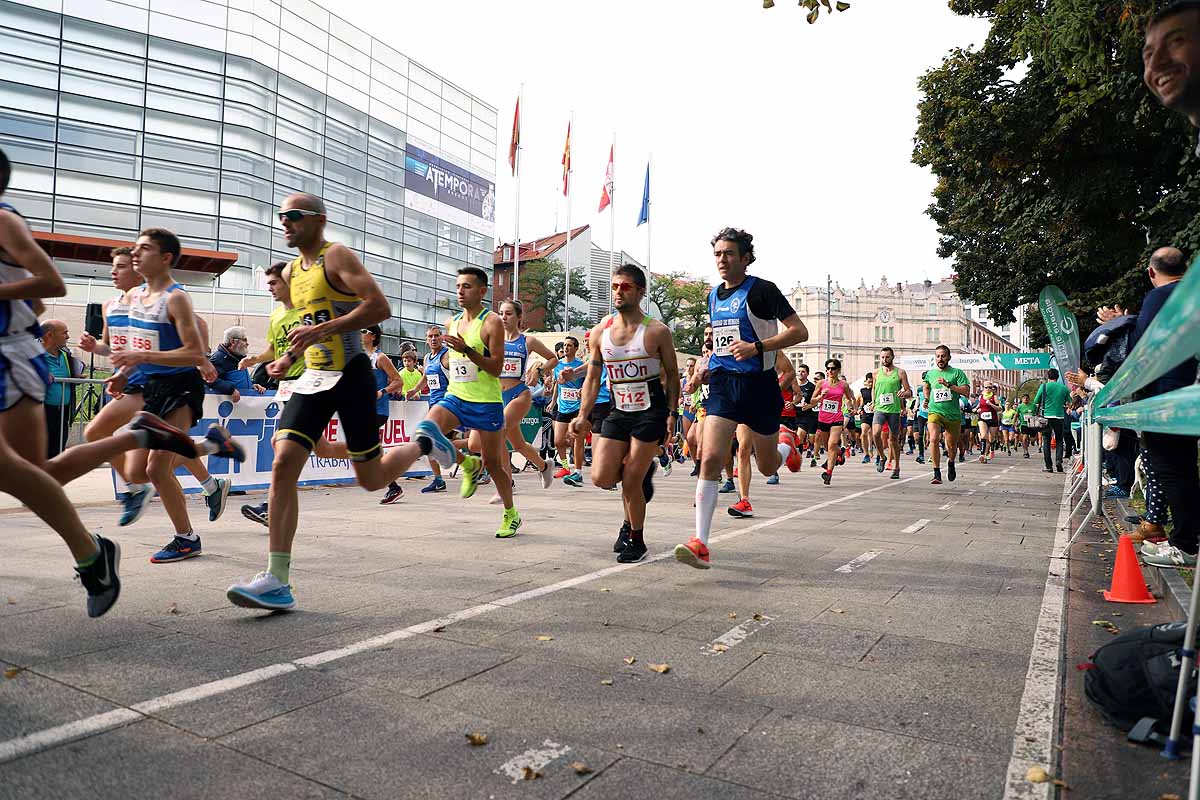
[(1069, 175)]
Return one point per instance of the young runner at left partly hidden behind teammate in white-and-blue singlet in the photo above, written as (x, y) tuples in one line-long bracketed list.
[(124, 407)]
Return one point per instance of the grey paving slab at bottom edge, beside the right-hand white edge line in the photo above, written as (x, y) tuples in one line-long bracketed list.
[(790, 755)]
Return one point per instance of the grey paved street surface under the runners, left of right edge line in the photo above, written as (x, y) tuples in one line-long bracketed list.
[(866, 646)]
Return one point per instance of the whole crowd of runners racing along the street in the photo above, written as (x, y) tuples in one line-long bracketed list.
[(740, 406)]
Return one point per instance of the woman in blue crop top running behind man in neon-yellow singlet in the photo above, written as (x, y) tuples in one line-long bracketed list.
[(515, 378)]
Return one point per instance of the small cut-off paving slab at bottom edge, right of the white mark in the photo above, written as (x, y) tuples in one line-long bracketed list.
[(631, 778)]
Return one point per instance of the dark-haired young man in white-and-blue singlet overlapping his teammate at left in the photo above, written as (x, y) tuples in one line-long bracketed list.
[(165, 342)]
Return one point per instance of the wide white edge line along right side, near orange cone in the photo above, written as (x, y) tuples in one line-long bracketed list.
[(1037, 719)]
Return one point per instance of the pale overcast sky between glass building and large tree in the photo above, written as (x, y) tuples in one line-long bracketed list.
[(800, 134)]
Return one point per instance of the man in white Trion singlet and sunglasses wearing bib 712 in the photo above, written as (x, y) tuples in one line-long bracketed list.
[(635, 352)]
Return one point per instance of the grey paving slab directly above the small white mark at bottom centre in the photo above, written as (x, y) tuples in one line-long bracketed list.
[(650, 718)]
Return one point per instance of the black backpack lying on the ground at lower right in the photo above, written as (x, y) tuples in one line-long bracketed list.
[(1136, 676)]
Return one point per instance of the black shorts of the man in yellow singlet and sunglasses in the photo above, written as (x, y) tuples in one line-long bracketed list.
[(305, 417)]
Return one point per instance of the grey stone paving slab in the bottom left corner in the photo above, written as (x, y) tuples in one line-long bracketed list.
[(152, 760)]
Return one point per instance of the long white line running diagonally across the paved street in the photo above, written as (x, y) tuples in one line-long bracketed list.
[(98, 724)]
